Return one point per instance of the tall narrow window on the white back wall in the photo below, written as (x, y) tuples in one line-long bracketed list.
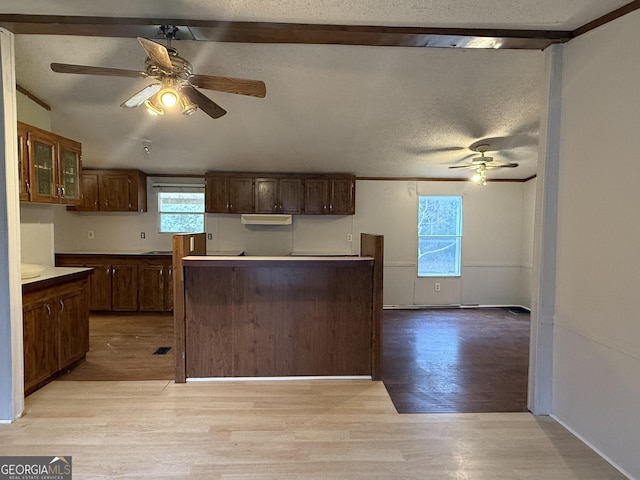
[(439, 236)]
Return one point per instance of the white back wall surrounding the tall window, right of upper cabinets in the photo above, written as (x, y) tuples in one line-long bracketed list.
[(492, 243)]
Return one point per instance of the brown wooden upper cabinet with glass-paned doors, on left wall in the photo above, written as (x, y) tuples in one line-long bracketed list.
[(54, 167)]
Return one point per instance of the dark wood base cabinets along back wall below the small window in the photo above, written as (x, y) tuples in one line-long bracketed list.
[(126, 283)]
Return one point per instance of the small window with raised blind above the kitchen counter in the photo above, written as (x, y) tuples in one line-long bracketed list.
[(180, 209)]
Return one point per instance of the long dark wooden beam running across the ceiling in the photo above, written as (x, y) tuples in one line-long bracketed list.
[(293, 33)]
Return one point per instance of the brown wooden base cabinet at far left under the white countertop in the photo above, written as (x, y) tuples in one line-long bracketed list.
[(55, 328)]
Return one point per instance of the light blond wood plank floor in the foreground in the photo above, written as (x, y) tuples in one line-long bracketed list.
[(322, 429)]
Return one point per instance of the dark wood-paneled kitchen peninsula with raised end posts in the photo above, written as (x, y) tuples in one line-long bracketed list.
[(276, 316)]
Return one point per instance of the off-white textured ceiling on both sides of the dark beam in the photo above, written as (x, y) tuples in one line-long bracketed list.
[(372, 111)]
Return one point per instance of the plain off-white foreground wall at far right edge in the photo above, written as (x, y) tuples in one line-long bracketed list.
[(596, 388)]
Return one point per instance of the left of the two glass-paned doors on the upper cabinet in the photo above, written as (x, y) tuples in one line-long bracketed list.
[(43, 171)]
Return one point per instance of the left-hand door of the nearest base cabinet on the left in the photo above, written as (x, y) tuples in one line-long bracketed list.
[(40, 342)]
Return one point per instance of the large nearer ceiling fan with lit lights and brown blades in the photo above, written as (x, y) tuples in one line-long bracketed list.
[(175, 85)]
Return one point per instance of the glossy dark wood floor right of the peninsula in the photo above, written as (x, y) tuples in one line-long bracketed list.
[(456, 360)]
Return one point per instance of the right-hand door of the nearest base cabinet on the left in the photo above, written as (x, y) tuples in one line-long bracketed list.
[(73, 325)]
